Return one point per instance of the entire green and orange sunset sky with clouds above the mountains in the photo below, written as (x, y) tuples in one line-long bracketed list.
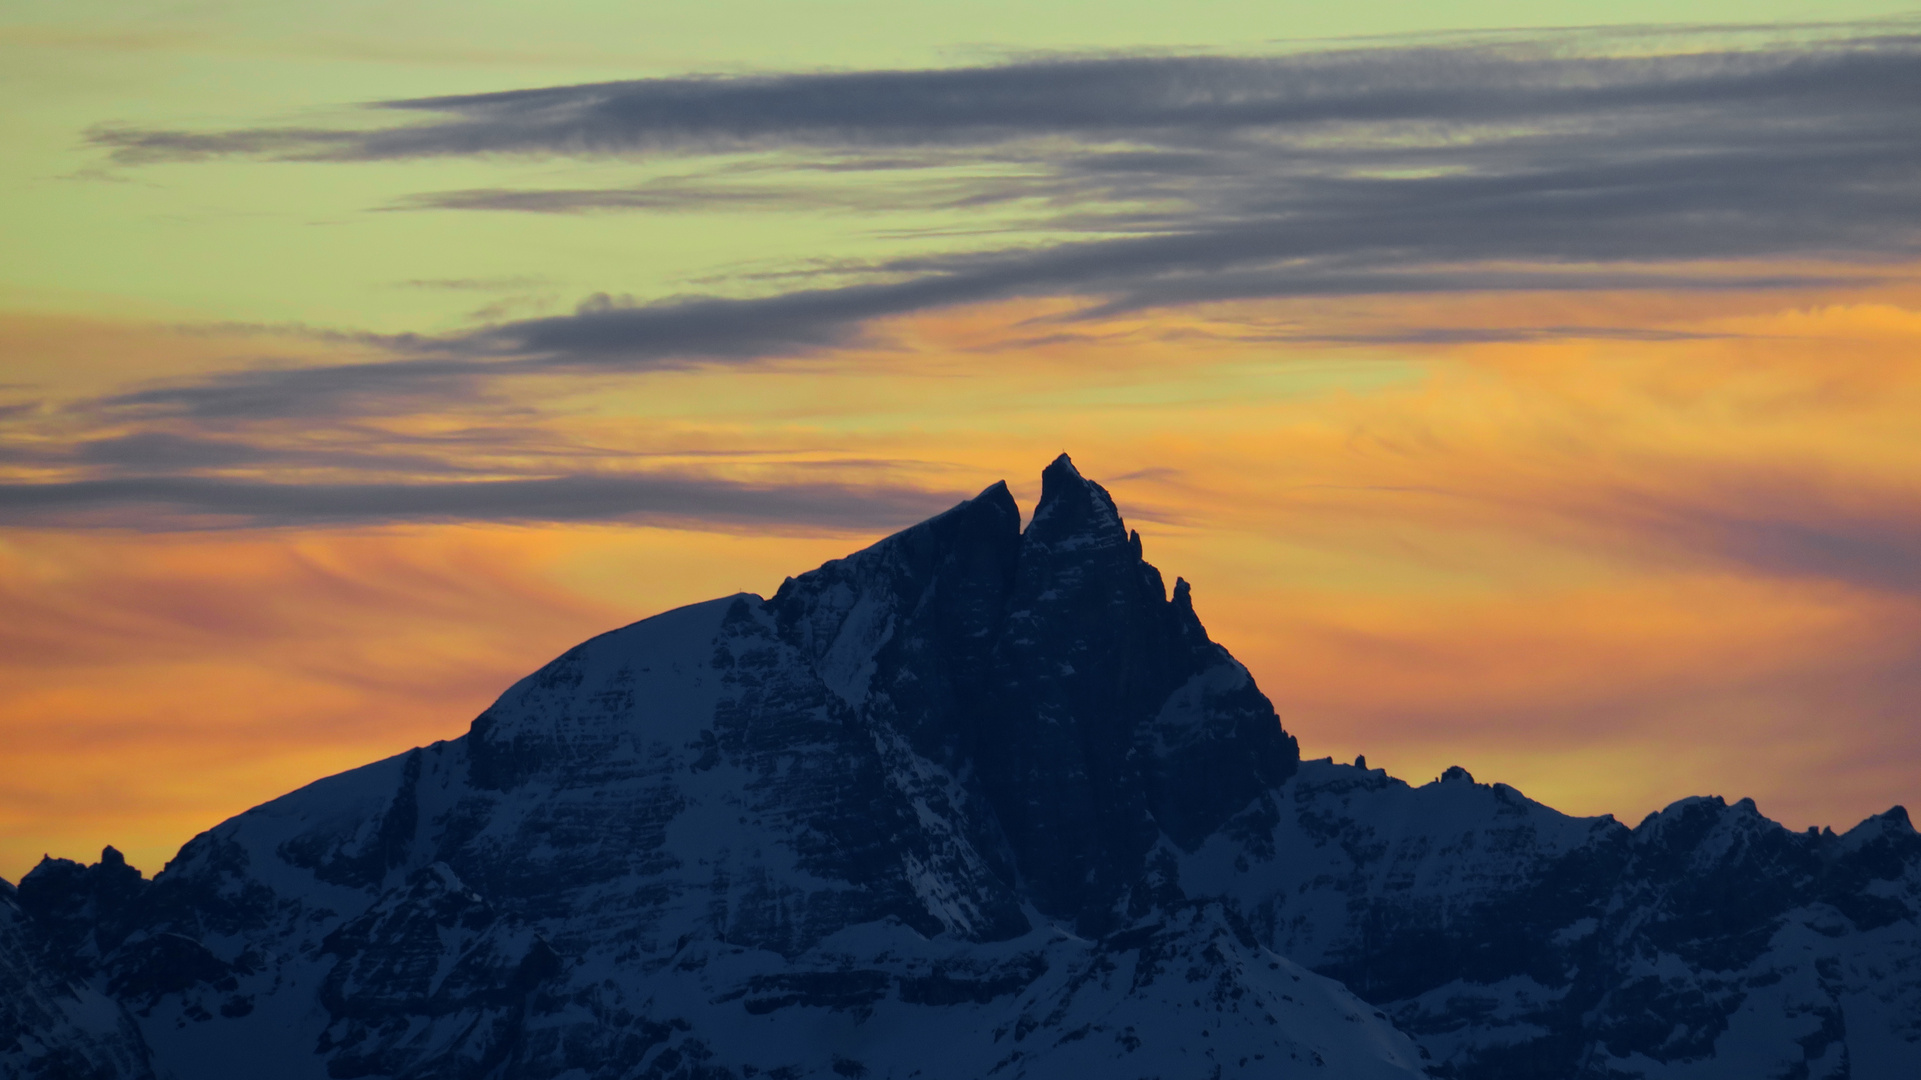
[(1522, 387)]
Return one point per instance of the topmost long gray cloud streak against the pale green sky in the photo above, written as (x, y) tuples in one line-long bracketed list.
[(1086, 99)]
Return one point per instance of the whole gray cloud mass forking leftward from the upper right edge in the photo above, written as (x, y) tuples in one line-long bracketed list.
[(1563, 164)]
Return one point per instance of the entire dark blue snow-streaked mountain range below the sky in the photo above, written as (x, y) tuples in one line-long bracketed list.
[(973, 802)]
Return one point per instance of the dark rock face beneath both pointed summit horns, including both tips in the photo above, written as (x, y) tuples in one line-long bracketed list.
[(1090, 712)]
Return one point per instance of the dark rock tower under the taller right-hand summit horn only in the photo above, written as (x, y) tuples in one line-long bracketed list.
[(1107, 704)]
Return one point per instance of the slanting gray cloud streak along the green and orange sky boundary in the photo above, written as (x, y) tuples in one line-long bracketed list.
[(604, 337)]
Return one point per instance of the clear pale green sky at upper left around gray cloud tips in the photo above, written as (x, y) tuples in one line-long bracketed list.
[(249, 241)]
